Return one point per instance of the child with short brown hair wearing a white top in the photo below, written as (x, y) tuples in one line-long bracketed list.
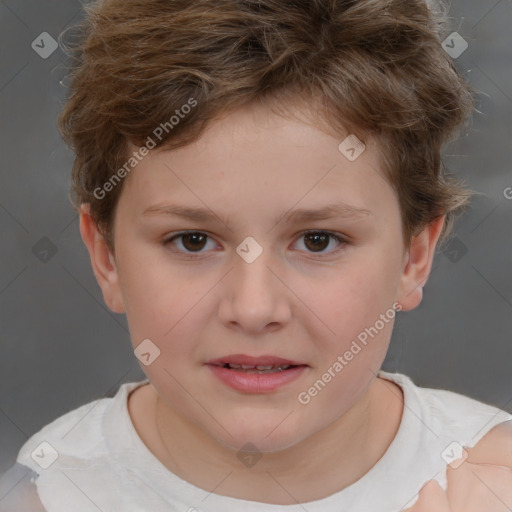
[(261, 191)]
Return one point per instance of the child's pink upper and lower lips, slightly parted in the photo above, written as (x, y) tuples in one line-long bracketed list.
[(255, 383)]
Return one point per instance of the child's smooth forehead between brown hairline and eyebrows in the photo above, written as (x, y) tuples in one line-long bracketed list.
[(254, 158)]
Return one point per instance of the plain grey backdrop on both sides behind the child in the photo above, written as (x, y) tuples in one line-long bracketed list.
[(60, 347)]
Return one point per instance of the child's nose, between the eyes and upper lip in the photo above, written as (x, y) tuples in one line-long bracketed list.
[(254, 298)]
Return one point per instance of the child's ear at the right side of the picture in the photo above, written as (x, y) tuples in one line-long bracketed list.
[(417, 264)]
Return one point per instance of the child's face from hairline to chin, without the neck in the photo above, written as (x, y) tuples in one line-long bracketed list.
[(302, 299)]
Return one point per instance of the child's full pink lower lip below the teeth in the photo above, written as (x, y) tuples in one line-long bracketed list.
[(256, 382)]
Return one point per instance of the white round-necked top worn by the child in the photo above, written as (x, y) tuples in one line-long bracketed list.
[(102, 464)]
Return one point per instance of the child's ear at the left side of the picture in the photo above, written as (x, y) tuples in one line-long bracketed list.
[(102, 260)]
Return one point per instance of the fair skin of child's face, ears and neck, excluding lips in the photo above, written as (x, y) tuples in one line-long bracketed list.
[(249, 168)]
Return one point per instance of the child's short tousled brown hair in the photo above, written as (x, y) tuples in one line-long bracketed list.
[(366, 66)]
